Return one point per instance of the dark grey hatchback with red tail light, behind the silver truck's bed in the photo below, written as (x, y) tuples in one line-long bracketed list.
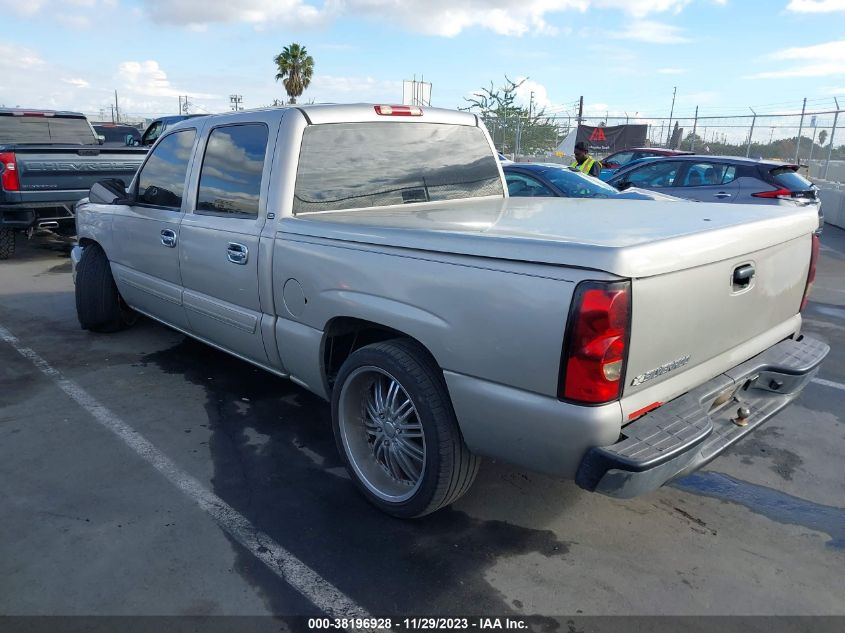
[(723, 179)]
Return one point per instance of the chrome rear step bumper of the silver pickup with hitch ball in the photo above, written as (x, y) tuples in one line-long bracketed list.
[(688, 432)]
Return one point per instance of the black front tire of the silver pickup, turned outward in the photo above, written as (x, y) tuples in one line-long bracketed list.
[(99, 305)]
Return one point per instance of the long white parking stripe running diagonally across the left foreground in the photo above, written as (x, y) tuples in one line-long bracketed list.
[(285, 565)]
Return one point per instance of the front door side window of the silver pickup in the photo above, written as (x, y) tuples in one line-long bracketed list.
[(162, 178)]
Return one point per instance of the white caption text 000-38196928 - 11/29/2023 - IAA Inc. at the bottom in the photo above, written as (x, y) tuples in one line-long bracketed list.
[(418, 624)]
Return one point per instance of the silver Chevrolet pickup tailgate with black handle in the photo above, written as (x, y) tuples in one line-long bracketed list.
[(707, 319)]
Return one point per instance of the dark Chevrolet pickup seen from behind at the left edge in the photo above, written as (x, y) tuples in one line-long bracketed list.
[(48, 161)]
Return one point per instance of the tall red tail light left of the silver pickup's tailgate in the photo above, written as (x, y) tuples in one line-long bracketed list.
[(596, 345)]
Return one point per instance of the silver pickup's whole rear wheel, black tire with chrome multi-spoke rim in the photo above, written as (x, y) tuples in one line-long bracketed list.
[(396, 430)]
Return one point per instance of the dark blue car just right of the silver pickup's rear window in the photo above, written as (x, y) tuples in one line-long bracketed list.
[(531, 180)]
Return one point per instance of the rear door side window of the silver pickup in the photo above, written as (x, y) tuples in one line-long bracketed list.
[(230, 180)]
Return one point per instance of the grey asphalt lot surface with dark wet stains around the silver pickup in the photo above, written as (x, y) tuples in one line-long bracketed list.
[(144, 473)]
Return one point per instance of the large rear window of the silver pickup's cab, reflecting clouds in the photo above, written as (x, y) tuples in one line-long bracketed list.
[(358, 165)]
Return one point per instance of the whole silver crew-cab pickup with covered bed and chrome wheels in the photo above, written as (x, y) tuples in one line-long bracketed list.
[(371, 255)]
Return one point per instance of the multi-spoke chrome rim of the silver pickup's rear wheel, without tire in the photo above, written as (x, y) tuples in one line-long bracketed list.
[(381, 433)]
